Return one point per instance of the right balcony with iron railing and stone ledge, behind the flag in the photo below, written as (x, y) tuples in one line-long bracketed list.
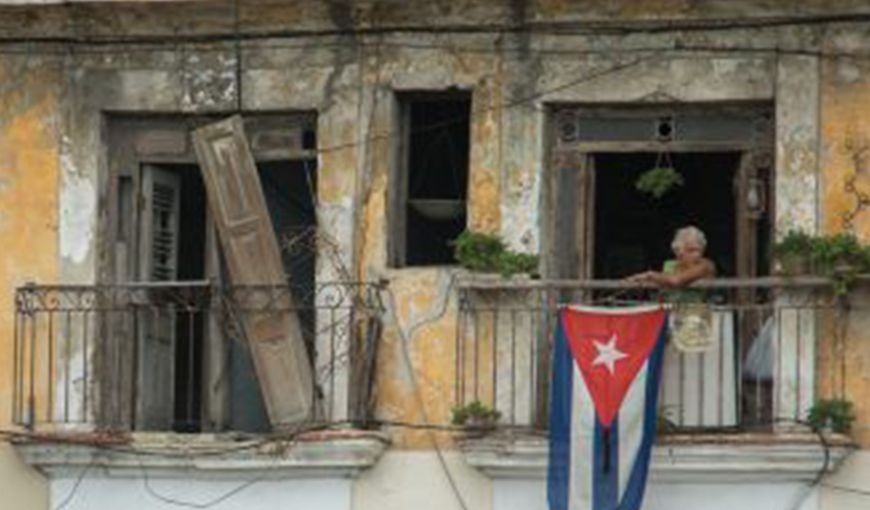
[(734, 413)]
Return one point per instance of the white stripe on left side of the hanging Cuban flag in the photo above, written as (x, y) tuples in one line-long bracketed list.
[(582, 444)]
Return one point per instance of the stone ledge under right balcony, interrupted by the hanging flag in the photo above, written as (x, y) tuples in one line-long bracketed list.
[(798, 459)]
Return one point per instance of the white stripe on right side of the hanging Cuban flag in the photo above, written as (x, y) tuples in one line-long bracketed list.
[(631, 416)]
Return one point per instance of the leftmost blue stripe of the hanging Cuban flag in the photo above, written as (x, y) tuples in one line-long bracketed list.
[(561, 388)]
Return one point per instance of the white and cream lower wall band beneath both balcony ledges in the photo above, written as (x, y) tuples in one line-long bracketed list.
[(400, 480)]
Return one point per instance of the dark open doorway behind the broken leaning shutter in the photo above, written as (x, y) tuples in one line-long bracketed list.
[(175, 245)]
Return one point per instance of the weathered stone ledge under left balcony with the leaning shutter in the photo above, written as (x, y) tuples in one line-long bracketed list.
[(340, 454)]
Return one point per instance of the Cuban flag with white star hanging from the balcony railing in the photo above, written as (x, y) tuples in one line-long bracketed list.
[(606, 372)]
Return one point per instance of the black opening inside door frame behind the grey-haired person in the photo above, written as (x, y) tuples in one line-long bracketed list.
[(633, 230)]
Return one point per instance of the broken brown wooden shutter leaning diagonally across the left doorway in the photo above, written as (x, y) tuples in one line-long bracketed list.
[(236, 200)]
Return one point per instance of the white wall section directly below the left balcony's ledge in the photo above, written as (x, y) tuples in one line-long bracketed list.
[(100, 491)]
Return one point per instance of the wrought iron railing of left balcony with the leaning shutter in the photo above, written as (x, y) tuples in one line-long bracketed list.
[(109, 356)]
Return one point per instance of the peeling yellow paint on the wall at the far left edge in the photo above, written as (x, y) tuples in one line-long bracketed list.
[(28, 199)]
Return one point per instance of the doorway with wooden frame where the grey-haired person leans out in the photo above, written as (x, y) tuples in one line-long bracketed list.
[(601, 226)]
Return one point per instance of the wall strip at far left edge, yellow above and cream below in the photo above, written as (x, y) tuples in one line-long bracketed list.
[(29, 169)]
